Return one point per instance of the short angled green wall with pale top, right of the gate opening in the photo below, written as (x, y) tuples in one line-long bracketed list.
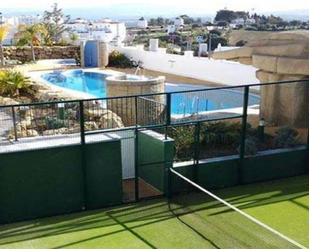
[(152, 153)]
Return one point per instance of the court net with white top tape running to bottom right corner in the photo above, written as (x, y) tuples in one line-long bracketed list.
[(219, 223)]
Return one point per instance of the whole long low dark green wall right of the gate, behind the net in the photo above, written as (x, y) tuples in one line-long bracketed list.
[(230, 172)]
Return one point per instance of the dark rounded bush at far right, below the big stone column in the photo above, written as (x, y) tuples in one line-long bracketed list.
[(286, 137)]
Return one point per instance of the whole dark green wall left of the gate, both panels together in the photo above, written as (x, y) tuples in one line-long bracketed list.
[(50, 181)]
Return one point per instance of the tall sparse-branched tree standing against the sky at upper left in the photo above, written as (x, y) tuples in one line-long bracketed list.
[(54, 22)]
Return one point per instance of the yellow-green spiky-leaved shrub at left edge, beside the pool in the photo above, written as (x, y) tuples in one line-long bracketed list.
[(13, 83)]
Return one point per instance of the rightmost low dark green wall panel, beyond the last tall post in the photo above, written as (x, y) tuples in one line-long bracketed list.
[(269, 166)]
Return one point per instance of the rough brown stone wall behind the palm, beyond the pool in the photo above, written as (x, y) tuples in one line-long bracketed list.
[(24, 54)]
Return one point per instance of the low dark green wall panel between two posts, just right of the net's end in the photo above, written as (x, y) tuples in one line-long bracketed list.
[(218, 173)]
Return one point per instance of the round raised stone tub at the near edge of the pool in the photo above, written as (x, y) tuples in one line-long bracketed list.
[(149, 108)]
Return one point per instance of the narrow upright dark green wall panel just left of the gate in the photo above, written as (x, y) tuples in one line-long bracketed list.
[(103, 174)]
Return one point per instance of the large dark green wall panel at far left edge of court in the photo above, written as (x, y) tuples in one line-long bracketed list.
[(40, 183)]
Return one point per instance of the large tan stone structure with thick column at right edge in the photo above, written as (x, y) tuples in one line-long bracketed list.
[(282, 56)]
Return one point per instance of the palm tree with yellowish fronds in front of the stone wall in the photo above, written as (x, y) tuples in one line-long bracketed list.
[(31, 35)]
